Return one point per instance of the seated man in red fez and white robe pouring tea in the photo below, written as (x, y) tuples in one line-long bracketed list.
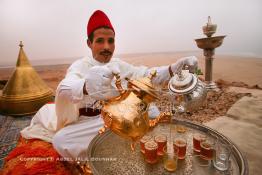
[(71, 123)]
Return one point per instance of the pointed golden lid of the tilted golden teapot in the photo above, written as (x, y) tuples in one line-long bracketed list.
[(144, 85)]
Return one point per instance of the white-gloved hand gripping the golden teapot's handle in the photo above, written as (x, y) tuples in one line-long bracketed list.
[(98, 83)]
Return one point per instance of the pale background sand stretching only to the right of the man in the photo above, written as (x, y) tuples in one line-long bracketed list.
[(228, 68)]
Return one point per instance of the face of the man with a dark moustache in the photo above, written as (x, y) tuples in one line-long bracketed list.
[(103, 45)]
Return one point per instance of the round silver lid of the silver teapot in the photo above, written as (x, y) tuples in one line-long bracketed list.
[(183, 82)]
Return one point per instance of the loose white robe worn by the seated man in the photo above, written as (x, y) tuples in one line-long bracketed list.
[(61, 124)]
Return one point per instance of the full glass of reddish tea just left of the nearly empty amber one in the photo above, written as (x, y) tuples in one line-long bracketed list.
[(151, 152)]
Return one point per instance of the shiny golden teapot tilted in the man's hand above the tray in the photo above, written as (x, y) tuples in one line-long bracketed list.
[(127, 114)]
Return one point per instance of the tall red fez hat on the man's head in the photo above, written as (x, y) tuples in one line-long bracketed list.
[(98, 19)]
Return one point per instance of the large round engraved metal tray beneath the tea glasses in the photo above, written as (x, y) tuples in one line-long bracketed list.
[(110, 154)]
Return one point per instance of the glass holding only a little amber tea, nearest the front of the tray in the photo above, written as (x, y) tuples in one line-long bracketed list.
[(170, 159)]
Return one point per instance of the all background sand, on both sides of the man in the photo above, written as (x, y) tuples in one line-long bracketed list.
[(229, 68)]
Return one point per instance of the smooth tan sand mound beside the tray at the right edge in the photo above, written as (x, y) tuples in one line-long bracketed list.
[(243, 126)]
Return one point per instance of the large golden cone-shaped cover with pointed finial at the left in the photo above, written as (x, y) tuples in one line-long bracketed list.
[(25, 92)]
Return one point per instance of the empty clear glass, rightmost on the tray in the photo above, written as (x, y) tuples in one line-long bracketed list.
[(221, 159)]
